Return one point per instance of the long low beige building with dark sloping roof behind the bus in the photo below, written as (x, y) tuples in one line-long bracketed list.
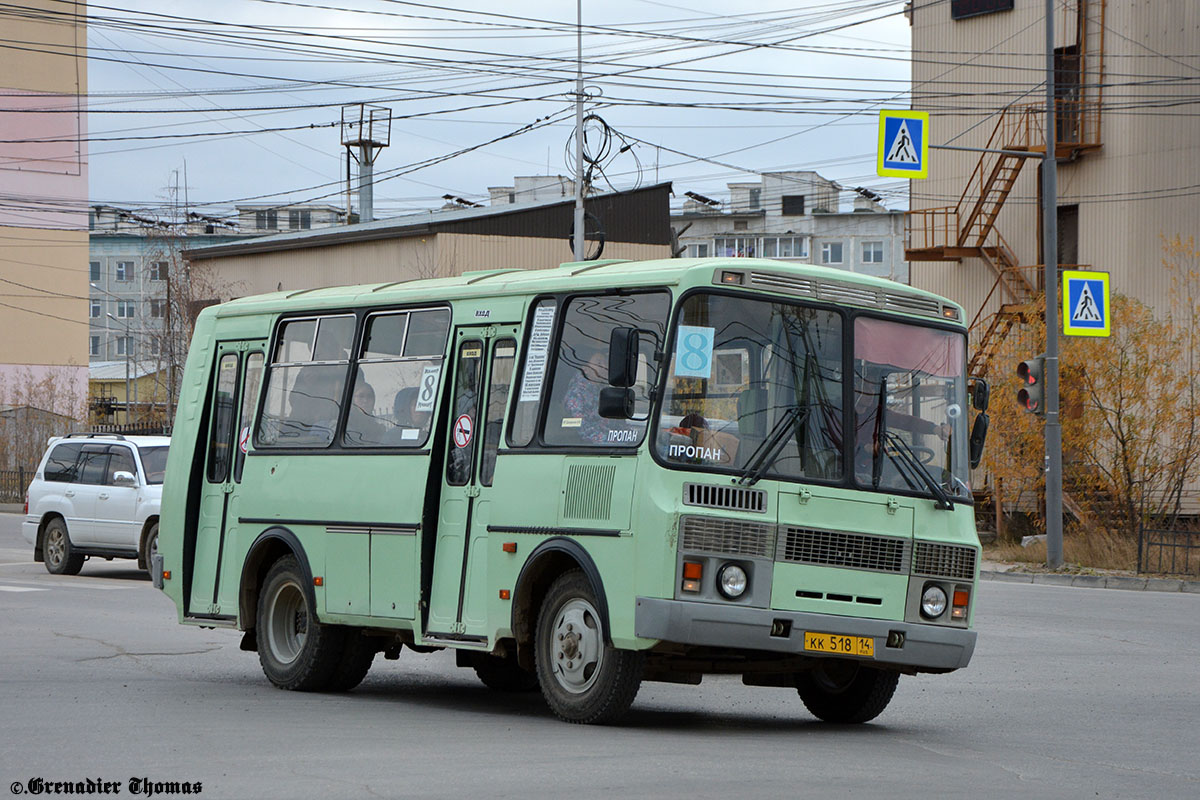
[(526, 236)]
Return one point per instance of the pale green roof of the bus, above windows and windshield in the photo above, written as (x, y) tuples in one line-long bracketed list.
[(577, 276)]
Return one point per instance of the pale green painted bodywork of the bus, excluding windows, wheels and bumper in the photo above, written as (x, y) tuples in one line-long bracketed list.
[(375, 579)]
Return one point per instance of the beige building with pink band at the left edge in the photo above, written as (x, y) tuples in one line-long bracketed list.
[(44, 220)]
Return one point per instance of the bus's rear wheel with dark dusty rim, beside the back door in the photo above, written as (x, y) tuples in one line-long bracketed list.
[(297, 652)]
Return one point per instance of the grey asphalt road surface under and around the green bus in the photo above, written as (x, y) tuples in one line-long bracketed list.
[(1072, 694)]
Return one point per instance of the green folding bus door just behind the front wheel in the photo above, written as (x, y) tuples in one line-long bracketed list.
[(483, 375)]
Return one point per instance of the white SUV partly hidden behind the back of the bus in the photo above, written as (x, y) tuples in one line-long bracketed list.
[(97, 495)]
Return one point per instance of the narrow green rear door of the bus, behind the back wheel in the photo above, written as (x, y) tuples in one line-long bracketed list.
[(237, 377)]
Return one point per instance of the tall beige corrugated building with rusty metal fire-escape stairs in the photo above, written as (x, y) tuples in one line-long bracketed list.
[(1129, 148)]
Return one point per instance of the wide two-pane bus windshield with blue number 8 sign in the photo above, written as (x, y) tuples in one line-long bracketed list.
[(758, 388)]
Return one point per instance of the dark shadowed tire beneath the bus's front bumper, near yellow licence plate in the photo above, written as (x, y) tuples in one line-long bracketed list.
[(847, 691)]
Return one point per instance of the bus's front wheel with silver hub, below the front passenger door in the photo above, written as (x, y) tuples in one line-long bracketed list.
[(583, 679)]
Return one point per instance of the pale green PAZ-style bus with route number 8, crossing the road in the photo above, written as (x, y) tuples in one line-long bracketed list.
[(585, 478)]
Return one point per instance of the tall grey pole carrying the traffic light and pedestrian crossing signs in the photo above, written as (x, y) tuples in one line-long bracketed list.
[(1051, 256)]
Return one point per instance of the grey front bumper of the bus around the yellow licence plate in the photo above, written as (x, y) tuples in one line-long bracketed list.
[(681, 622)]
